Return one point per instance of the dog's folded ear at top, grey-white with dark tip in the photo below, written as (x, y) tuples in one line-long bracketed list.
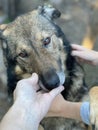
[(49, 12)]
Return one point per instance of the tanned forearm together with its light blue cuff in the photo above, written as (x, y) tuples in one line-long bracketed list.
[(72, 110)]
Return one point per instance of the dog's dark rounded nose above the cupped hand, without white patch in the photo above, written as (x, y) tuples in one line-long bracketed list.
[(50, 80)]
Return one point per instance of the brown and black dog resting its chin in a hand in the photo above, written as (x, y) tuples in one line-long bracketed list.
[(33, 42)]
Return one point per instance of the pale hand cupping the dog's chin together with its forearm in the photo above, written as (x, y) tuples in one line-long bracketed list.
[(29, 106)]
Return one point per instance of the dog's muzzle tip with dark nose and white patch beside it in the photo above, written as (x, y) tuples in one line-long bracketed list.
[(52, 81)]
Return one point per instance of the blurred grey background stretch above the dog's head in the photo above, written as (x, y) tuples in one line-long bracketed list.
[(75, 13)]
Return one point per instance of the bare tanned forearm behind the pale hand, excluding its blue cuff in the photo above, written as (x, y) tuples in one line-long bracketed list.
[(66, 109)]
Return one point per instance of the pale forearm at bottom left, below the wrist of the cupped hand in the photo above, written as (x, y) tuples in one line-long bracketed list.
[(18, 118)]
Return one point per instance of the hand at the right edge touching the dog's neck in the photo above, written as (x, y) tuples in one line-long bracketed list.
[(85, 55)]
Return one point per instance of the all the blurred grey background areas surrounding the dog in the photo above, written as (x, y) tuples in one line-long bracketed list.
[(74, 21)]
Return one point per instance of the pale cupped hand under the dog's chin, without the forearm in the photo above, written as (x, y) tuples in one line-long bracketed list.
[(37, 103)]
